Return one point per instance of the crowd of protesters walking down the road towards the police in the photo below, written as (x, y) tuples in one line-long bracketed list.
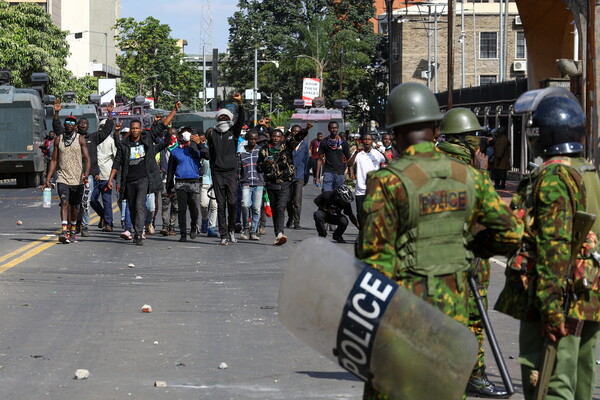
[(226, 181)]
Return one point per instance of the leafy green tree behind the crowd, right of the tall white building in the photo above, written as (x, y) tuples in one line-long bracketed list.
[(151, 63)]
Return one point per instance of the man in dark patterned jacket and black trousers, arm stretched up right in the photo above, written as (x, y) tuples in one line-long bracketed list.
[(276, 162)]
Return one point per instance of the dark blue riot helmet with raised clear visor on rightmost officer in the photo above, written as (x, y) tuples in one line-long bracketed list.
[(554, 121)]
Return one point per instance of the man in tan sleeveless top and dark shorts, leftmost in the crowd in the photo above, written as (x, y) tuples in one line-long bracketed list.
[(71, 160)]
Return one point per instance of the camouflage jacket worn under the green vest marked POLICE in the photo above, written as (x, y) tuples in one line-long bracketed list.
[(386, 215)]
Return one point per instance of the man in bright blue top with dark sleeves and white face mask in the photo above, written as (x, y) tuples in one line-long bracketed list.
[(183, 175)]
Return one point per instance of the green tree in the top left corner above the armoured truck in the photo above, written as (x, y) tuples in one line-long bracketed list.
[(30, 42)]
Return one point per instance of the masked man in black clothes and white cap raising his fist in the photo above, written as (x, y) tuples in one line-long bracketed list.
[(222, 147)]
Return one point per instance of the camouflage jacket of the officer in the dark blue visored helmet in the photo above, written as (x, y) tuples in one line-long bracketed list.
[(537, 274)]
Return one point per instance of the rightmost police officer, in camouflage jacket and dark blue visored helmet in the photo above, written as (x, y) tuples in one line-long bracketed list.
[(539, 277)]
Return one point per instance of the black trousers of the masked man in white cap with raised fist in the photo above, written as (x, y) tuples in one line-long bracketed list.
[(225, 186)]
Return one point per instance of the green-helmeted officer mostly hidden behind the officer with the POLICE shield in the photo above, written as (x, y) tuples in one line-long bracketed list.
[(460, 126)]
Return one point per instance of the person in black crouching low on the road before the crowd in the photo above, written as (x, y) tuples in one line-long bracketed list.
[(332, 207)]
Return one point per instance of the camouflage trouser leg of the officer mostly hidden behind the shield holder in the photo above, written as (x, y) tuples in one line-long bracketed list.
[(475, 322)]
